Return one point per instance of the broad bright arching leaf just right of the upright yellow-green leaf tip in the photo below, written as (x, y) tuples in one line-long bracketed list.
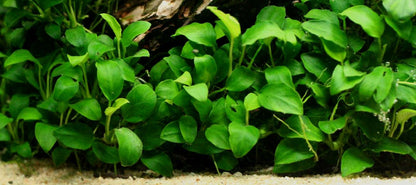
[(262, 30)]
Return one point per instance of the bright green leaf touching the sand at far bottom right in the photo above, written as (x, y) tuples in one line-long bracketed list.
[(353, 161)]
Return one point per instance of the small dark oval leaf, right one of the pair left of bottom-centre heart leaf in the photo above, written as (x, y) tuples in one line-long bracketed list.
[(188, 127)]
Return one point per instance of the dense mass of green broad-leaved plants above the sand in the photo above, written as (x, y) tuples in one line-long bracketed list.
[(341, 82)]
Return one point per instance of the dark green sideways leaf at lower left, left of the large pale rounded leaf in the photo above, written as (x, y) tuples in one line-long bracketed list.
[(75, 135)]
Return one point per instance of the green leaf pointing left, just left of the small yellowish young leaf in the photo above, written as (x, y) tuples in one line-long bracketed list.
[(89, 108)]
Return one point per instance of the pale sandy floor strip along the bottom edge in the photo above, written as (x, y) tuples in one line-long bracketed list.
[(43, 172)]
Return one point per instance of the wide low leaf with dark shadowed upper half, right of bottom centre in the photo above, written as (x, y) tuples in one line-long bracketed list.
[(291, 151)]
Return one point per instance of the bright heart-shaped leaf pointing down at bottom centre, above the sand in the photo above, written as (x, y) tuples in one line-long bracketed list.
[(242, 138)]
